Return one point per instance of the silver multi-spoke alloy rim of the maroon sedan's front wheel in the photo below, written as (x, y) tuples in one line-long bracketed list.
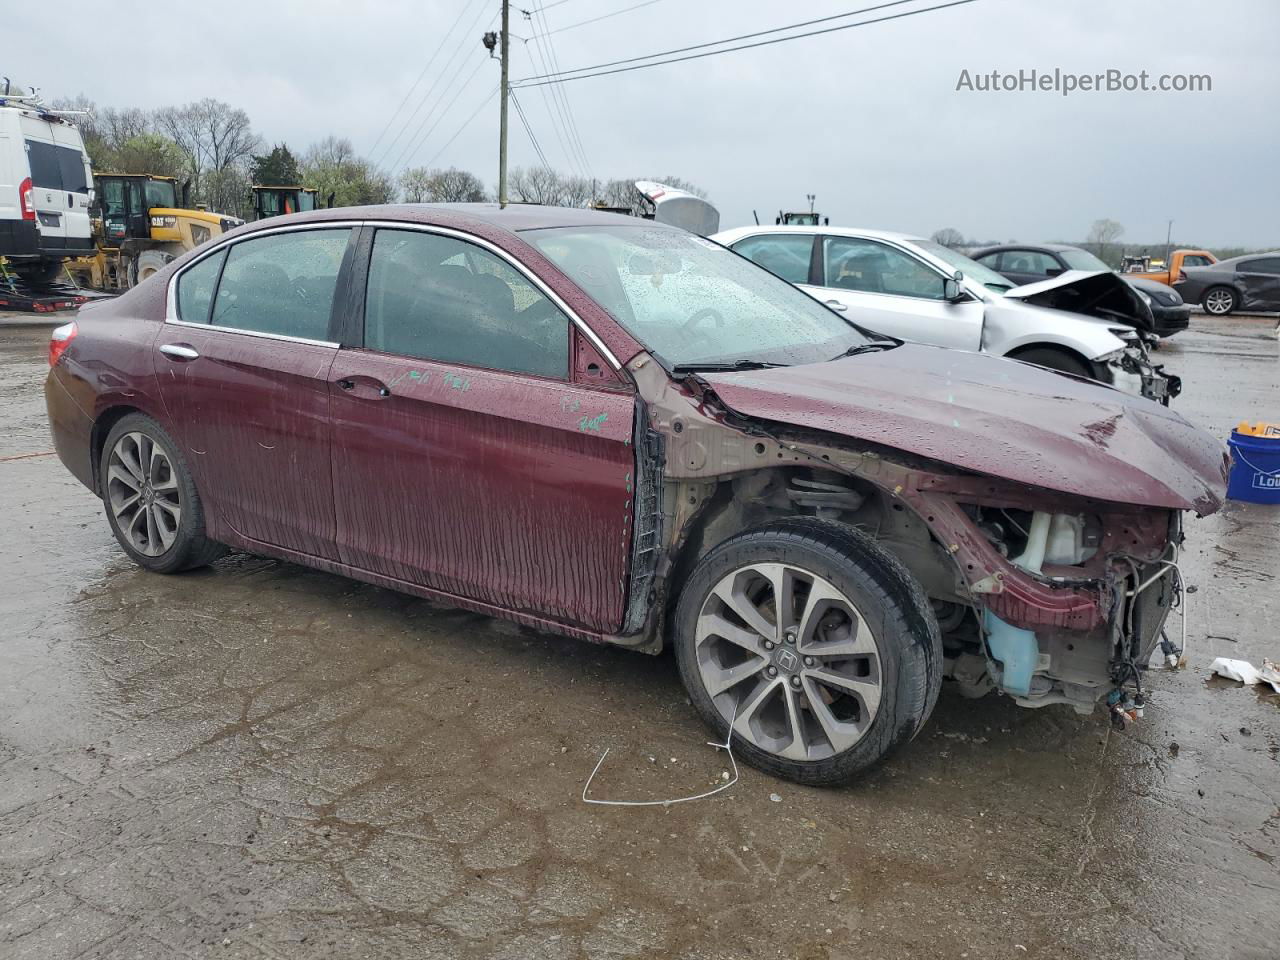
[(788, 659)]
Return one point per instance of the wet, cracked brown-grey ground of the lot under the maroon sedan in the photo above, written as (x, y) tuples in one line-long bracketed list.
[(258, 761)]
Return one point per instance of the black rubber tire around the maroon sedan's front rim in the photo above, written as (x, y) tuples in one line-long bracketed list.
[(893, 606)]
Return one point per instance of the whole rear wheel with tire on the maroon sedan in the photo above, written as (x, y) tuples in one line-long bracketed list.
[(152, 502)]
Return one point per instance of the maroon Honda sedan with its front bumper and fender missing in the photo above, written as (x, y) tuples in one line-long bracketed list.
[(625, 433)]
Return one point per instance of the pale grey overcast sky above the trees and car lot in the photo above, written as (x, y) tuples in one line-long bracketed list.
[(868, 120)]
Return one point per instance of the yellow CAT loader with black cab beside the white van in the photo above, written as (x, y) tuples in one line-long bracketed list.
[(139, 227)]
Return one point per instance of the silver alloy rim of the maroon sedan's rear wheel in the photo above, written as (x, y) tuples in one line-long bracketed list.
[(143, 493)]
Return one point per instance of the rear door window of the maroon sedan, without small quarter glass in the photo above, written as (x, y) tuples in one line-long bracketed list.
[(282, 285)]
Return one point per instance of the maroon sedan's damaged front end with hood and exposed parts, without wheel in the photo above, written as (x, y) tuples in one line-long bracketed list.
[(1043, 515)]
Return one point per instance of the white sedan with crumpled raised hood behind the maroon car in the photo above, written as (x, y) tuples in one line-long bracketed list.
[(1080, 323)]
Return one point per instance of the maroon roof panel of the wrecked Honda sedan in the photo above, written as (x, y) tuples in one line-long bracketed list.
[(513, 220)]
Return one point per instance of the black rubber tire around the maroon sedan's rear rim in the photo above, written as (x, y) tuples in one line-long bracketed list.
[(191, 547)]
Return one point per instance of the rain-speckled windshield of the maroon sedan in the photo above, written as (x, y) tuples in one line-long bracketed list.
[(692, 301)]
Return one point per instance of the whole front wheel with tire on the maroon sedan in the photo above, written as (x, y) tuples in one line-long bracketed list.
[(819, 647)]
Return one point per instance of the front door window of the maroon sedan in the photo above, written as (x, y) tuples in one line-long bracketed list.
[(442, 299)]
